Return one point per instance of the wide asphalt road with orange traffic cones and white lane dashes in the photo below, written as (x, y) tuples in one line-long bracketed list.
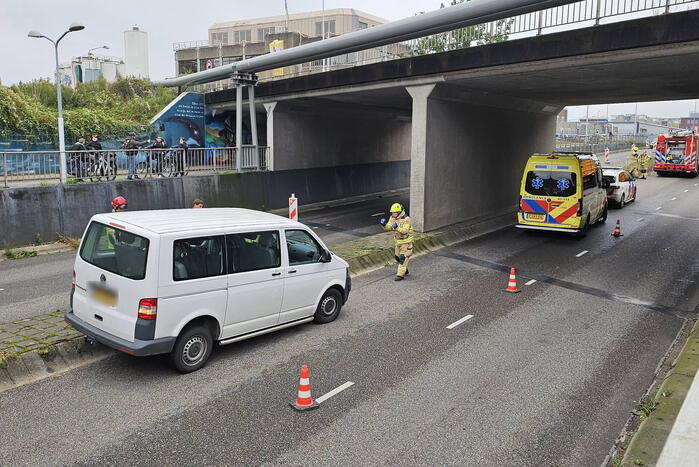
[(544, 377)]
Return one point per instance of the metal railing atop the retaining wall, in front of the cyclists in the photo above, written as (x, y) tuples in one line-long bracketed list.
[(44, 166)]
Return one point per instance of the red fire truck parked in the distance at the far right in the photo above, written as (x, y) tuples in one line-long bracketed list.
[(677, 153)]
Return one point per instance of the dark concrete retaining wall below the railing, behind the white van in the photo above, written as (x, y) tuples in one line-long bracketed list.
[(65, 210)]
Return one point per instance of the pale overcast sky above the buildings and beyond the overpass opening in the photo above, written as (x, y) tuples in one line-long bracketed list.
[(167, 21)]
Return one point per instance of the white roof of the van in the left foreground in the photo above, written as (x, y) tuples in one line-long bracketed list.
[(178, 220)]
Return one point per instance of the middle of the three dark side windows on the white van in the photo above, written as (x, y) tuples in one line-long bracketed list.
[(252, 251)]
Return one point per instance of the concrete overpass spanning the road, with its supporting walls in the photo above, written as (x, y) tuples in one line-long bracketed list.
[(468, 119)]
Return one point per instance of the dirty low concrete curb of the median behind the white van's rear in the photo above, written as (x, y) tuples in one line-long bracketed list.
[(32, 366)]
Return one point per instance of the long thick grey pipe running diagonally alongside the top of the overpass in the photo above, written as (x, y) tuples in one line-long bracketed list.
[(445, 19)]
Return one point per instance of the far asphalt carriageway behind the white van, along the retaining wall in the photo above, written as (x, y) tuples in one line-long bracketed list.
[(33, 286)]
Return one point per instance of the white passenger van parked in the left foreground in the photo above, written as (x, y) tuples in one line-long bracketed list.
[(176, 281)]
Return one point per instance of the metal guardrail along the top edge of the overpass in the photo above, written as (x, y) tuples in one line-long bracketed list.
[(586, 13)]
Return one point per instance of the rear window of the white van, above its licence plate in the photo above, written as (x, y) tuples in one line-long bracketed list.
[(115, 250)]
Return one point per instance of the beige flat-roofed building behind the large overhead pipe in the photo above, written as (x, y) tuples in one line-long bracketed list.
[(235, 40)]
